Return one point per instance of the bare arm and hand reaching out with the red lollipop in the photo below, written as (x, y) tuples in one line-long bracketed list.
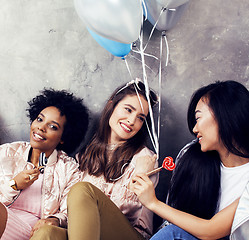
[(215, 228)]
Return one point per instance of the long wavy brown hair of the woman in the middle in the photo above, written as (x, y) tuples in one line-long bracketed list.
[(94, 158)]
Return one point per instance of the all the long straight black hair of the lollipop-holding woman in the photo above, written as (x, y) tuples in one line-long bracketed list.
[(195, 184)]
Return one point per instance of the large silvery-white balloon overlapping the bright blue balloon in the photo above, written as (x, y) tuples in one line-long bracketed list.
[(118, 20)]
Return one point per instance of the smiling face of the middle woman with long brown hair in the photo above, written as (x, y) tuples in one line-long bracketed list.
[(127, 118)]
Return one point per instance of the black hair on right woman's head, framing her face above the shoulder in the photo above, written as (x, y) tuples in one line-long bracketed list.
[(229, 102)]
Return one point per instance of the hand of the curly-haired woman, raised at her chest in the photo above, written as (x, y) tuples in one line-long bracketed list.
[(25, 178)]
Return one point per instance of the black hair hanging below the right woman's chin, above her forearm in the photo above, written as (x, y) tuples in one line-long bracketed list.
[(195, 183)]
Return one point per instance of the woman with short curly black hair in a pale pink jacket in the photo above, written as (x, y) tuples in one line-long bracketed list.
[(36, 176)]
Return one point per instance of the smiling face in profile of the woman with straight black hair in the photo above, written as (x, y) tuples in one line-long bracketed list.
[(206, 128)]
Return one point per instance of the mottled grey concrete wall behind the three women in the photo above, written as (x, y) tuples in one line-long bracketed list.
[(45, 44)]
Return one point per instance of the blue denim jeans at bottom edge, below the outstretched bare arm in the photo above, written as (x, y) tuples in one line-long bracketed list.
[(171, 232)]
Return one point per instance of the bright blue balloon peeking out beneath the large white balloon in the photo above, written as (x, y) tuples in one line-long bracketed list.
[(116, 48)]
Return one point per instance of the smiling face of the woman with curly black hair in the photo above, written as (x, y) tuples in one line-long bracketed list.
[(46, 130)]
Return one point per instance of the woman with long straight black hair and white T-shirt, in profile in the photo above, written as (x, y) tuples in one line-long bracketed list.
[(218, 116)]
